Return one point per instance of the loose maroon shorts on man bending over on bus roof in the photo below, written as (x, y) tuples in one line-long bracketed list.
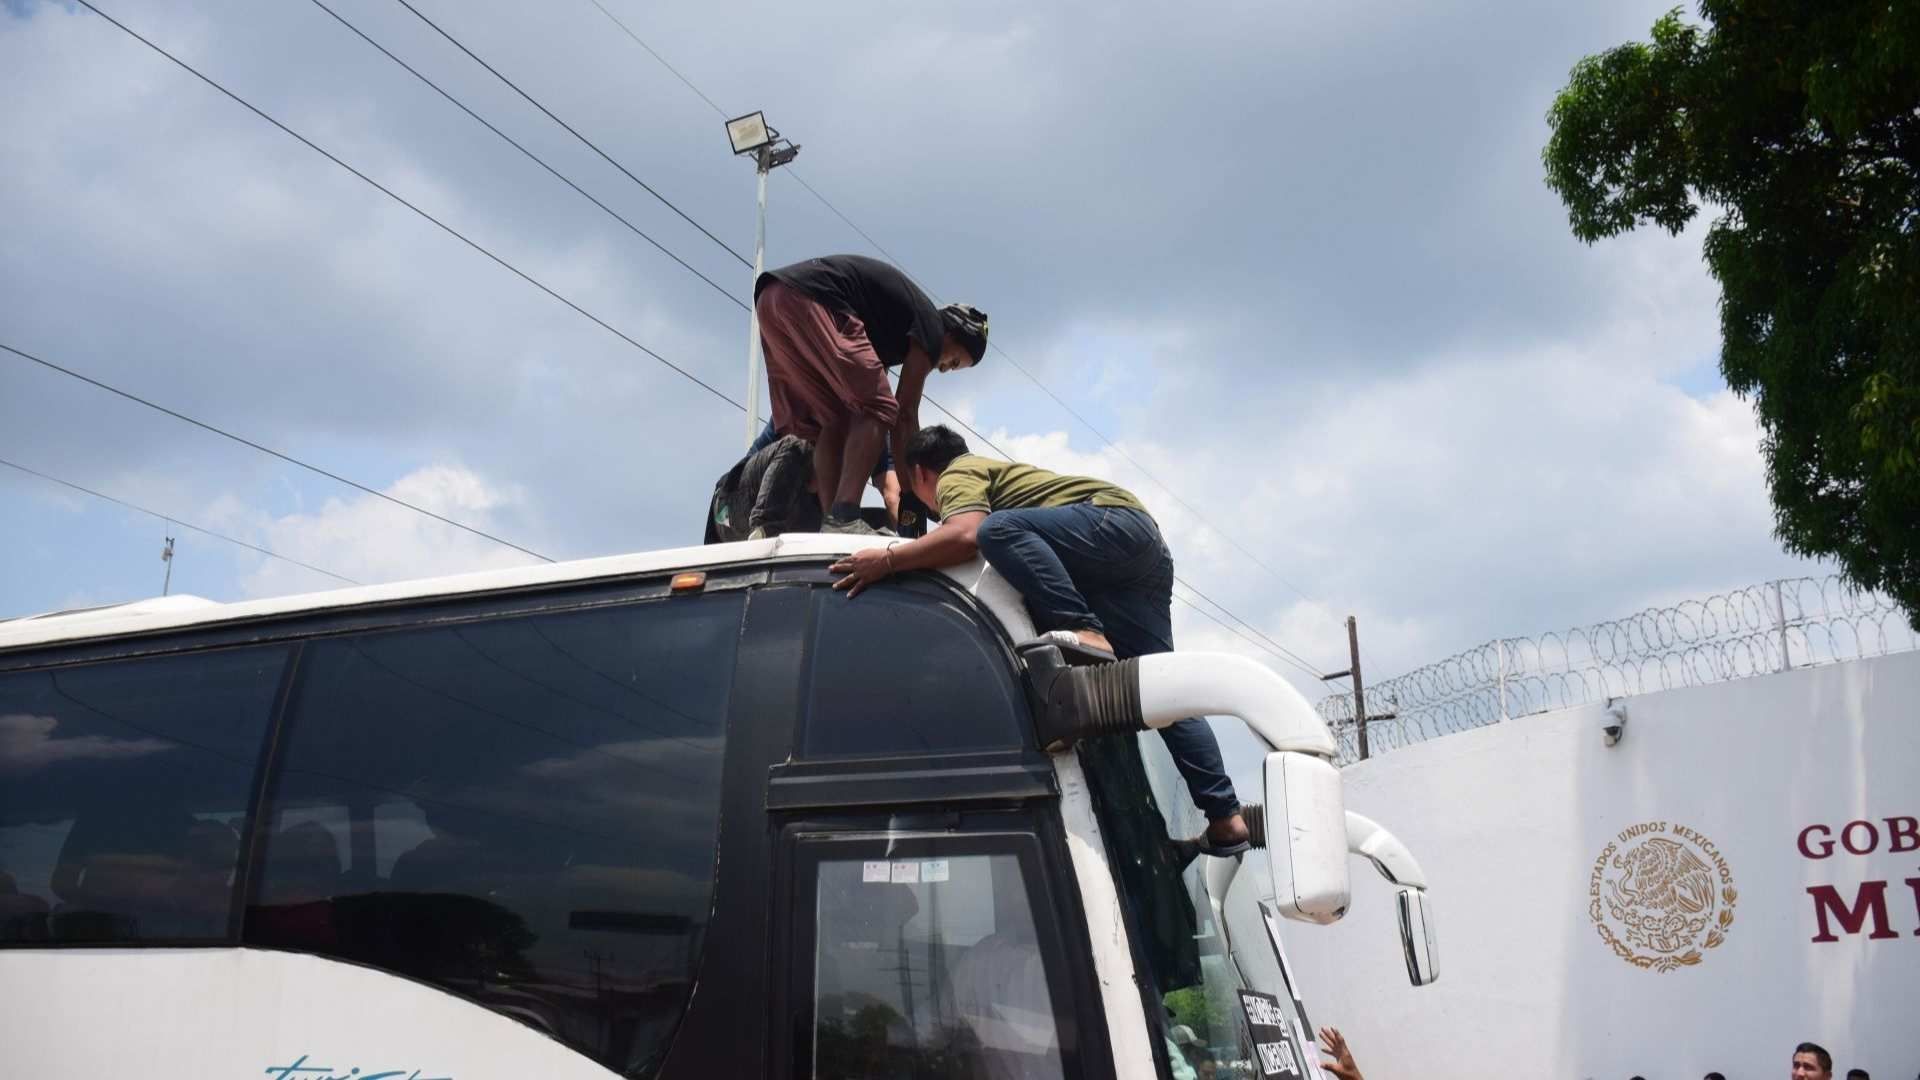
[(821, 370)]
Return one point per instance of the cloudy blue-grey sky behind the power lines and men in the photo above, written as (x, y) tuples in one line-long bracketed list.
[(1297, 260)]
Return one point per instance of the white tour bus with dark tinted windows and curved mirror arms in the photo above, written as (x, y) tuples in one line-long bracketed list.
[(683, 816)]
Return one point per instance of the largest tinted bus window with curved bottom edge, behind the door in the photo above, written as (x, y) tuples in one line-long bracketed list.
[(521, 812)]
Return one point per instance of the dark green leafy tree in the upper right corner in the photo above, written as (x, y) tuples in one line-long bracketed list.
[(1800, 124)]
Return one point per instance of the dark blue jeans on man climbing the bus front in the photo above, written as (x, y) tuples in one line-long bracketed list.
[(1099, 568)]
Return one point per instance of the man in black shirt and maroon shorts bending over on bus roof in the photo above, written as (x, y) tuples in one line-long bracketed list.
[(832, 330)]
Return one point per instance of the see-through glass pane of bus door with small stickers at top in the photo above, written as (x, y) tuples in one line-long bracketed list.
[(928, 968)]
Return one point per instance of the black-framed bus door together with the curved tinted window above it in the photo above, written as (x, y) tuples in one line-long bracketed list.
[(924, 912)]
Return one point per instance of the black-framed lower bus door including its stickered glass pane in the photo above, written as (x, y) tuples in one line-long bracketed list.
[(928, 952)]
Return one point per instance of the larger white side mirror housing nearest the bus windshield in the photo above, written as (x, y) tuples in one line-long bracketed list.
[(1307, 837)]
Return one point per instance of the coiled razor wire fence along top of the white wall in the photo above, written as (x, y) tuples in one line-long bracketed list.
[(1750, 631)]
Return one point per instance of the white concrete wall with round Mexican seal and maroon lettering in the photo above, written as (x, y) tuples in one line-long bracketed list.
[(1508, 823)]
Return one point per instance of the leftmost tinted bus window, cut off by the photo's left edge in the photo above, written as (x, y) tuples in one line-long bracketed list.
[(124, 793)]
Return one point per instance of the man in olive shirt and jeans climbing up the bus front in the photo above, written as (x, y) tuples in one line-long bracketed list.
[(1086, 556)]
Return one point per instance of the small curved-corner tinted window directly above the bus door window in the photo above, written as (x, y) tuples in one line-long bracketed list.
[(905, 670)]
